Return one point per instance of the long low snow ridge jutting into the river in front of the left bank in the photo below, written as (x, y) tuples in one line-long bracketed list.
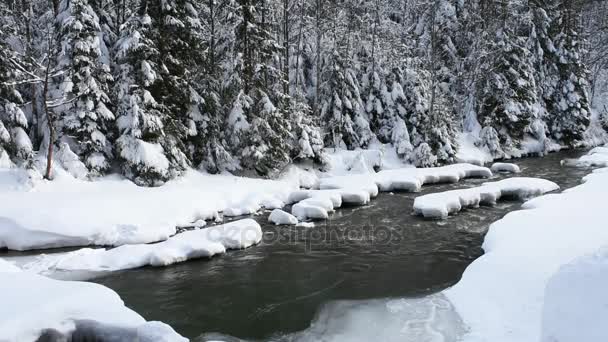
[(192, 244)]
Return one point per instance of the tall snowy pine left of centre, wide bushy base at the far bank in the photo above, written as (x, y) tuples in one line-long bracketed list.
[(258, 119)]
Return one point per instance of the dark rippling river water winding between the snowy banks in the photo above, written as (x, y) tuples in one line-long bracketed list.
[(377, 251)]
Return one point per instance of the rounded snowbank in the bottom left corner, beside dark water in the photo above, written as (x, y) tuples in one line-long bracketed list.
[(33, 304)]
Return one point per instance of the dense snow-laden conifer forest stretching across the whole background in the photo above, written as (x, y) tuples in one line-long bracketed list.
[(150, 88)]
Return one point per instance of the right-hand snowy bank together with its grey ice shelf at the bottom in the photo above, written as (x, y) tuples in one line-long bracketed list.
[(543, 277)]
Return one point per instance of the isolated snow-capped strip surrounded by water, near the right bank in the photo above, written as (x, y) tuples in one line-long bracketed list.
[(442, 204)]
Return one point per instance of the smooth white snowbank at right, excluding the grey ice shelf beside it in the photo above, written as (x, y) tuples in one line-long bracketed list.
[(522, 289)]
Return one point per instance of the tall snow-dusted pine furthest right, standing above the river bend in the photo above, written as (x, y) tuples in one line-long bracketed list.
[(563, 75)]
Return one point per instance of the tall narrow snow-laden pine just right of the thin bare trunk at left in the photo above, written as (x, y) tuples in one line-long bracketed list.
[(86, 121)]
